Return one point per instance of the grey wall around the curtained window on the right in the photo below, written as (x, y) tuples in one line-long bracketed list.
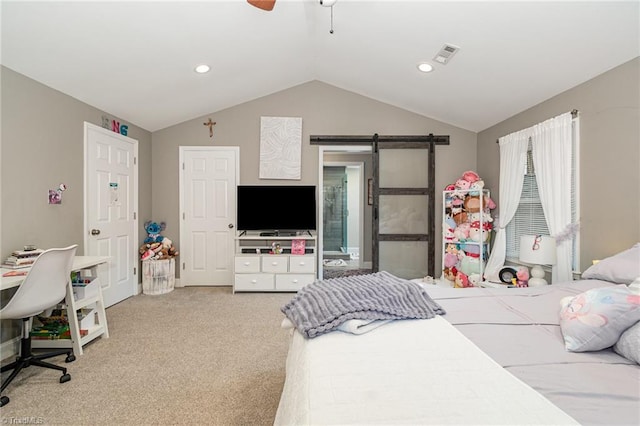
[(609, 112)]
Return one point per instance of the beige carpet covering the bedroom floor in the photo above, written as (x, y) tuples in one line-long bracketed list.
[(193, 356)]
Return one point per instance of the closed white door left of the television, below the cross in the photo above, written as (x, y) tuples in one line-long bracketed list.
[(208, 178)]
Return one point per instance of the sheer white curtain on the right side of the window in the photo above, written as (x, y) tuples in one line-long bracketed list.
[(551, 150)]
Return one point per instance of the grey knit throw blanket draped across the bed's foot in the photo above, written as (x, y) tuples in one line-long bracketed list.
[(322, 306)]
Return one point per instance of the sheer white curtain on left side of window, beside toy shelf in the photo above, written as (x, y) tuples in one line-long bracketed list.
[(513, 166)]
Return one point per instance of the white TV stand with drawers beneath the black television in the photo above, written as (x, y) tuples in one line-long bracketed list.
[(255, 269)]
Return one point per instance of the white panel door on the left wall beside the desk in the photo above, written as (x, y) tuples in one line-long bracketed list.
[(111, 203)]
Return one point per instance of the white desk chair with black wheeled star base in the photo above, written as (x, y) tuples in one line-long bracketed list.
[(44, 286)]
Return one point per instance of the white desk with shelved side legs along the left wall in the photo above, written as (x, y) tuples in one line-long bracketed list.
[(77, 341)]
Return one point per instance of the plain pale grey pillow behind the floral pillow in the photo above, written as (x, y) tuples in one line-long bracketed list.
[(621, 268)]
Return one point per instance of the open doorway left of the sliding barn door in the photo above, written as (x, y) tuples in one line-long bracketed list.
[(344, 216)]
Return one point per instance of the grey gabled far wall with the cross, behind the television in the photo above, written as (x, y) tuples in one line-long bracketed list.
[(325, 110)]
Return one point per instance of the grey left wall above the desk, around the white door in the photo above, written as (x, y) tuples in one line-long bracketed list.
[(43, 146)]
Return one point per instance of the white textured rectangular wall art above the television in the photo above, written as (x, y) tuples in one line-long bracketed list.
[(280, 147)]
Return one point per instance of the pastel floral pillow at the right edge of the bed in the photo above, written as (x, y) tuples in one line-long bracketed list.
[(596, 319)]
